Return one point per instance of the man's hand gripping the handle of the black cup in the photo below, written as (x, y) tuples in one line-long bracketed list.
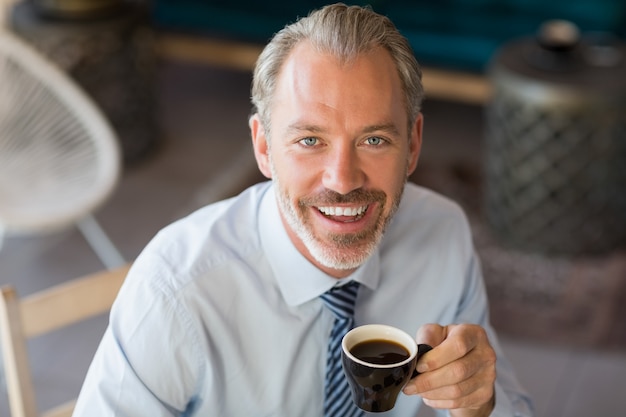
[(459, 373)]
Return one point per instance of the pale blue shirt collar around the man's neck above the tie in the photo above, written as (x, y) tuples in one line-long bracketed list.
[(298, 279)]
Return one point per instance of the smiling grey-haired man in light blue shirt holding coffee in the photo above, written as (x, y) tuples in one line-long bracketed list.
[(221, 313)]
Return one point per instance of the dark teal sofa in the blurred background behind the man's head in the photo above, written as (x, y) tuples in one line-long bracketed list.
[(452, 34)]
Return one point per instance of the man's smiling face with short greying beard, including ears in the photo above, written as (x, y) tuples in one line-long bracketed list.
[(339, 153)]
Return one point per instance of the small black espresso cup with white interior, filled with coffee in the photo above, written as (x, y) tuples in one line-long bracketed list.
[(378, 361)]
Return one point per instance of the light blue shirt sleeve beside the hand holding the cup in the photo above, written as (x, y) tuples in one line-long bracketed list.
[(511, 398)]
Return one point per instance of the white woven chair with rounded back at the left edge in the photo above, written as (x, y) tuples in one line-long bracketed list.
[(59, 157)]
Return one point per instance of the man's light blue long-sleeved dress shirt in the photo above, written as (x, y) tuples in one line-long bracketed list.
[(220, 315)]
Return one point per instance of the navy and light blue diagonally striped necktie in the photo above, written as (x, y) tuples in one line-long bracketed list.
[(337, 397)]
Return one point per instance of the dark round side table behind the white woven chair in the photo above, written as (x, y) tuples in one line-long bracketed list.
[(111, 55)]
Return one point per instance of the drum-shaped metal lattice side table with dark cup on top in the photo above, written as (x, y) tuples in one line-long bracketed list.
[(556, 142)]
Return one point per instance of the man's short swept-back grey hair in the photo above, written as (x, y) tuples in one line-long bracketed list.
[(345, 32)]
